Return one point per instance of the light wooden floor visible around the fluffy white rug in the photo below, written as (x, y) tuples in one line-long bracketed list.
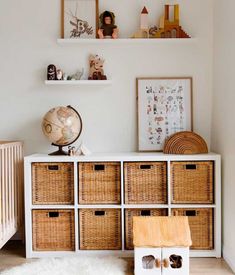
[(13, 254)]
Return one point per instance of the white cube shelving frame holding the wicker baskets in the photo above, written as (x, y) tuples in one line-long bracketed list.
[(122, 158)]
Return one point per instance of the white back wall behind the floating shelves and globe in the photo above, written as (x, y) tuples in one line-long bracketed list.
[(28, 33)]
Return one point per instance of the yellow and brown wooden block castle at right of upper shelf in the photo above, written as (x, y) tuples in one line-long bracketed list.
[(170, 24)]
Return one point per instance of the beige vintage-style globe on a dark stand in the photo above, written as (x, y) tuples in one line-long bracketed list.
[(62, 126)]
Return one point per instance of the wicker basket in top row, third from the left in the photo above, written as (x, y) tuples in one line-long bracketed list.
[(145, 182)]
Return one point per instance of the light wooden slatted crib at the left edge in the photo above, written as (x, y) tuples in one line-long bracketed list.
[(11, 190)]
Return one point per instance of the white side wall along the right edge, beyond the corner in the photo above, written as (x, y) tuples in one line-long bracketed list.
[(223, 130)]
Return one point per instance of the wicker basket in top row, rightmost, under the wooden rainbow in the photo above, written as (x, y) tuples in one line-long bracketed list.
[(192, 182)]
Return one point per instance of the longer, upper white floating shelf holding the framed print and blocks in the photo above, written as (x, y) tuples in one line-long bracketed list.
[(69, 41)]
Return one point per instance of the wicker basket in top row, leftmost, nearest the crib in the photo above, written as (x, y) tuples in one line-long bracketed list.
[(52, 183)]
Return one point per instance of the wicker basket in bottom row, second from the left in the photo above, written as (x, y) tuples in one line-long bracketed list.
[(100, 229)]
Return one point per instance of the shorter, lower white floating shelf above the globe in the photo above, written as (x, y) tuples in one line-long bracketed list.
[(79, 82)]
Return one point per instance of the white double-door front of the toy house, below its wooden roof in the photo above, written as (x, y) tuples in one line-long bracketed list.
[(165, 261)]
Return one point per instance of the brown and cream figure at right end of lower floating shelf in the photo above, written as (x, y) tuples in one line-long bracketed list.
[(96, 71)]
